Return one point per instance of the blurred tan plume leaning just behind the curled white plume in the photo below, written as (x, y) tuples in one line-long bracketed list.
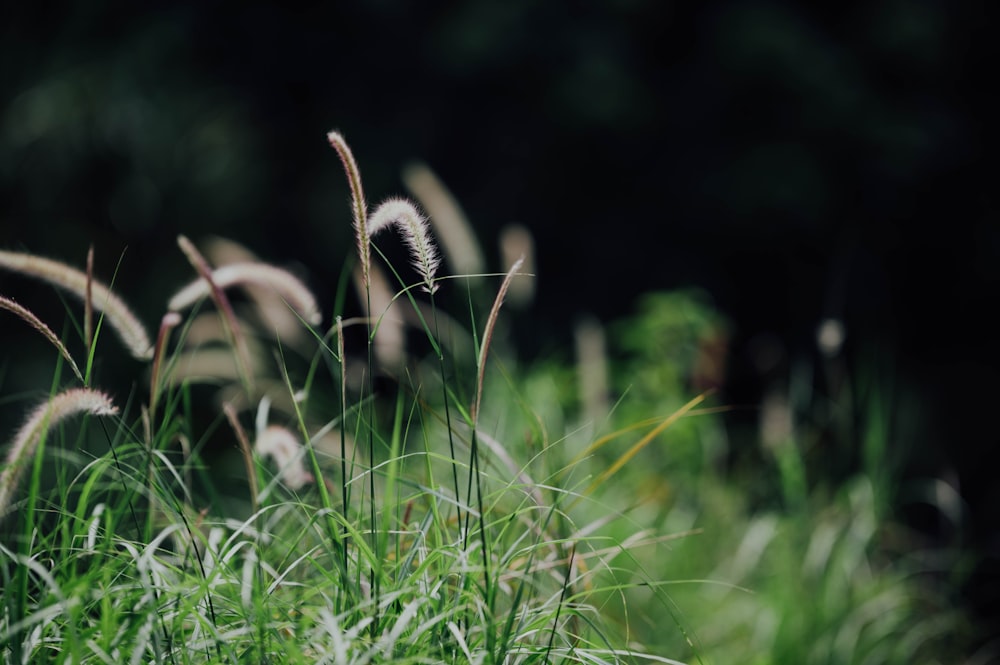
[(451, 226)]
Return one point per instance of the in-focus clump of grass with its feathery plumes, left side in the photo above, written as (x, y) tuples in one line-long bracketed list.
[(346, 534)]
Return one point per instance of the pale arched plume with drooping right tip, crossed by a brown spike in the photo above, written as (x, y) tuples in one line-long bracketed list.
[(279, 281)]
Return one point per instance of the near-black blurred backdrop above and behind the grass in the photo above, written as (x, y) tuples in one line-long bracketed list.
[(797, 162)]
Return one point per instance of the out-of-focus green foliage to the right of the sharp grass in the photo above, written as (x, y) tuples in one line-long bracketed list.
[(823, 571)]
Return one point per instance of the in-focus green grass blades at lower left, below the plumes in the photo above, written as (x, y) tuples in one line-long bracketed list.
[(124, 566)]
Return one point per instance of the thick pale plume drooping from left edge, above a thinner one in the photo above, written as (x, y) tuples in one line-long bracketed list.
[(118, 315)]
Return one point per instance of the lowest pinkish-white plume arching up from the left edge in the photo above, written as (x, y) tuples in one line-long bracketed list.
[(57, 409)]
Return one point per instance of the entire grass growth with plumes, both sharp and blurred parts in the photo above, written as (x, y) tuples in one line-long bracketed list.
[(289, 492)]
